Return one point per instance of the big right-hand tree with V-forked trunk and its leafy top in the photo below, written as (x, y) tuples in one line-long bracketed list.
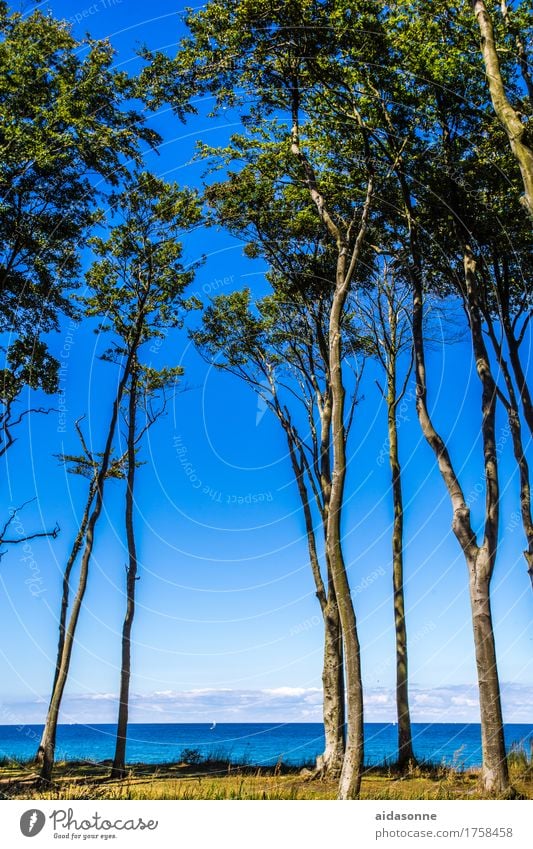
[(438, 253)]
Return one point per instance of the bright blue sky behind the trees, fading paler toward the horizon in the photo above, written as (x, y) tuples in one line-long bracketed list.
[(227, 626)]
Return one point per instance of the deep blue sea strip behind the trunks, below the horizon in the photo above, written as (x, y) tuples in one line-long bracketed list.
[(261, 744)]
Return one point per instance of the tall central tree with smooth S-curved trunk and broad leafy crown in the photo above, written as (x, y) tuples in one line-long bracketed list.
[(291, 70)]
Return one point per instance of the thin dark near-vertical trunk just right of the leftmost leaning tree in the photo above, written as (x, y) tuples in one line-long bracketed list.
[(119, 763)]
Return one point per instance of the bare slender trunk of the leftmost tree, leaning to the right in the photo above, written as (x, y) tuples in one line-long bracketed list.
[(48, 741)]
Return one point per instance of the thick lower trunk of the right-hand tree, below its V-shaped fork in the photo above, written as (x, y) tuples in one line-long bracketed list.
[(495, 776)]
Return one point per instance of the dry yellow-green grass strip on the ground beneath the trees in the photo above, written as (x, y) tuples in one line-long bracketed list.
[(220, 779)]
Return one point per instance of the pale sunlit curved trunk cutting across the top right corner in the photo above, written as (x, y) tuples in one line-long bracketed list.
[(513, 126)]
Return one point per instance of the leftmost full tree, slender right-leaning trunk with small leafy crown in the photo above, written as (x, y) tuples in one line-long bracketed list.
[(136, 305)]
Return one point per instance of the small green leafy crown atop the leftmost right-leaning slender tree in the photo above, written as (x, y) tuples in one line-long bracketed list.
[(138, 280)]
